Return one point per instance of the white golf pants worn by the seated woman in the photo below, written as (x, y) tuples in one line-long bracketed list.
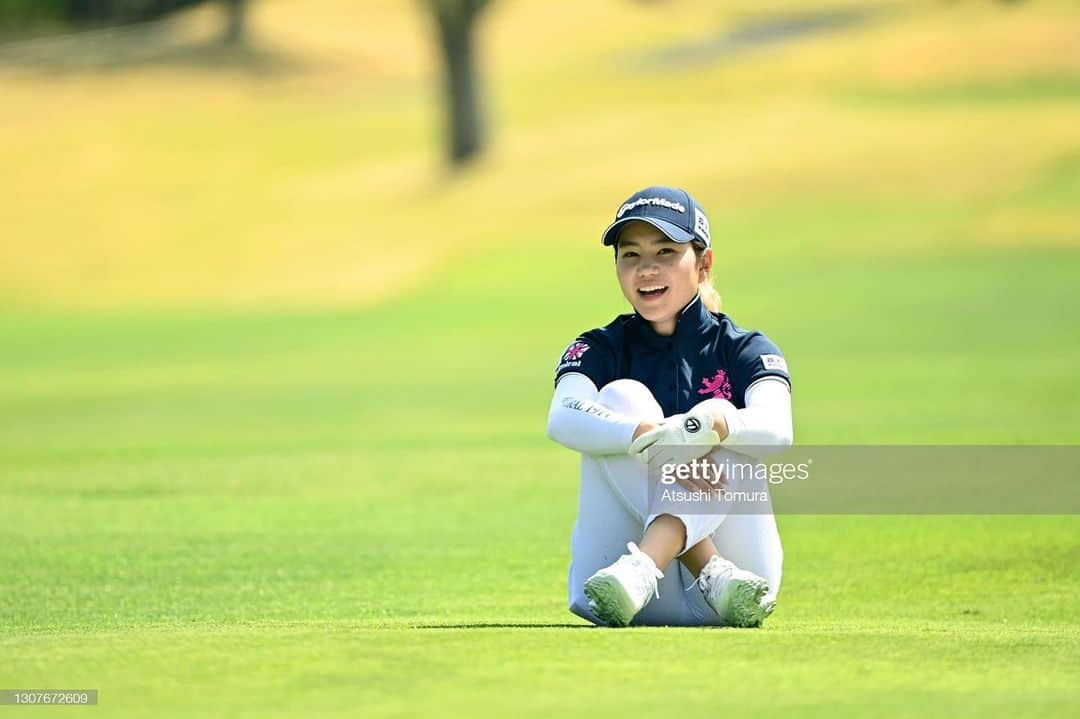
[(613, 510)]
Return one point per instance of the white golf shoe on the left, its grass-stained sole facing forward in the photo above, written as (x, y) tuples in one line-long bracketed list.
[(617, 593)]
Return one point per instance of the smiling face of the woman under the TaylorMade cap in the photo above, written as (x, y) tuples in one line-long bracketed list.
[(658, 277)]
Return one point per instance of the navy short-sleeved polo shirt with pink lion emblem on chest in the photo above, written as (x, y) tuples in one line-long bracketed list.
[(707, 357)]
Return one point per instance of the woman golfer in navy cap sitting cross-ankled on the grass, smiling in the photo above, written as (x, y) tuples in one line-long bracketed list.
[(671, 383)]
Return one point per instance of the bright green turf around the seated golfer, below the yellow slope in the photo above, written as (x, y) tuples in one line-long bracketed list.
[(259, 513)]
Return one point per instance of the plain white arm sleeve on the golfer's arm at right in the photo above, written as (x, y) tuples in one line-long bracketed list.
[(765, 427)]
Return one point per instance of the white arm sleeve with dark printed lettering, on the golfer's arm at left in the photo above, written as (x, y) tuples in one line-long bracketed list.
[(577, 422)]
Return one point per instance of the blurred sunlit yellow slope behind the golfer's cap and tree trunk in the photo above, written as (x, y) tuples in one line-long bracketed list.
[(308, 168)]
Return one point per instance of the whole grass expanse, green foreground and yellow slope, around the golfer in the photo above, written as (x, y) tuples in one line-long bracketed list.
[(283, 455)]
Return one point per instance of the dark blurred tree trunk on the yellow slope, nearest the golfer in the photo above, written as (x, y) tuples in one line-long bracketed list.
[(456, 21)]
